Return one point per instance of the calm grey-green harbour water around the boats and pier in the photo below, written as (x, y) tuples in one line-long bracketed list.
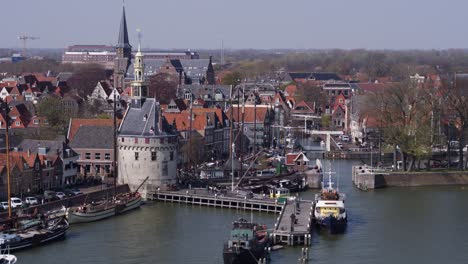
[(393, 225)]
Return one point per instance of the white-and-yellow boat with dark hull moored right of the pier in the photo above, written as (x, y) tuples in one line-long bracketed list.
[(330, 210)]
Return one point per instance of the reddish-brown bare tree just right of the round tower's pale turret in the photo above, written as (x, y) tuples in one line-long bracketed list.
[(163, 86)]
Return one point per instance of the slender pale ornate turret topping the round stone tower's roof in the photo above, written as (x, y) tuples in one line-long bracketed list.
[(139, 84)]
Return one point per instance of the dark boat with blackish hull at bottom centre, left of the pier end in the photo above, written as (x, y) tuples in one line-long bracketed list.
[(247, 244)]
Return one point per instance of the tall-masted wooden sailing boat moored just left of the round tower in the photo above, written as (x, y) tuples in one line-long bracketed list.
[(119, 203)]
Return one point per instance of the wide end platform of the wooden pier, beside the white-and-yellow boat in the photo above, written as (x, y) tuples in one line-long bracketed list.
[(294, 224)]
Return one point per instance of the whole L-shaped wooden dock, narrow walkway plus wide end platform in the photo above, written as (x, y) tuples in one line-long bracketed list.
[(293, 225)]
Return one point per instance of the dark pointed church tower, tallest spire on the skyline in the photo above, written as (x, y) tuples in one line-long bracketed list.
[(123, 53)]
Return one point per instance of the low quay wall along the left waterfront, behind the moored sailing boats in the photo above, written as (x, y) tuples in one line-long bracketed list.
[(74, 200)]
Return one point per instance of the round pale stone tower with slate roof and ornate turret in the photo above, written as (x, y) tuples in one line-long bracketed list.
[(147, 144)]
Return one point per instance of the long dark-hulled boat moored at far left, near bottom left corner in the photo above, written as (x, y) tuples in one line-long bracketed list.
[(21, 239)]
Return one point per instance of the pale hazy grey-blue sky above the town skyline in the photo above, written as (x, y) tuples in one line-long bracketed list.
[(200, 24)]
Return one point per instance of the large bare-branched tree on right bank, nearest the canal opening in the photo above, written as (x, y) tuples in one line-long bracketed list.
[(404, 114)]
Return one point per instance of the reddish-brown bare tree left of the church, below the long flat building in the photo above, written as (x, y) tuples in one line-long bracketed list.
[(84, 80)]
